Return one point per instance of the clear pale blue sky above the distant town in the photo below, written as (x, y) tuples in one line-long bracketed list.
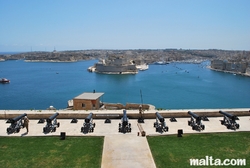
[(45, 25)]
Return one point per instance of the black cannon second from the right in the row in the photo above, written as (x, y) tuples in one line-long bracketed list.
[(195, 122)]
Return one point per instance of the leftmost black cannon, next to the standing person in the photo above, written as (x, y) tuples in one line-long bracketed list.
[(16, 124)]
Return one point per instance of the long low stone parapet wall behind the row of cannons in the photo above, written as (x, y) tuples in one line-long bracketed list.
[(117, 114)]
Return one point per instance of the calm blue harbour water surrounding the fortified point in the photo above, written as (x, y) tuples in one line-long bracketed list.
[(173, 86)]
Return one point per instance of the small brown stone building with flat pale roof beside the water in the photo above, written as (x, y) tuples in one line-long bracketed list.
[(87, 101)]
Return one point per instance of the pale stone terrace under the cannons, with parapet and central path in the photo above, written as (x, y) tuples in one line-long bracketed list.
[(137, 153)]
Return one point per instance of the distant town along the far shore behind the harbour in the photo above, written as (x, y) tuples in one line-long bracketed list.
[(222, 60)]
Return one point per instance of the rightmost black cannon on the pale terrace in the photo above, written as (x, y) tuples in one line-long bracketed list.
[(229, 120)]
